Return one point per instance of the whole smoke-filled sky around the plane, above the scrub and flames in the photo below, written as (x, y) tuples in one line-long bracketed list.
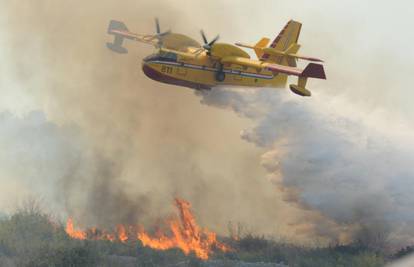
[(85, 130)]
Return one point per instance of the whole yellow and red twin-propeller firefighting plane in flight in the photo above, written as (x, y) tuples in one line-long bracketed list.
[(182, 61)]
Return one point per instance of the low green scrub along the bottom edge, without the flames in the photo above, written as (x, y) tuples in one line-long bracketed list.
[(30, 238)]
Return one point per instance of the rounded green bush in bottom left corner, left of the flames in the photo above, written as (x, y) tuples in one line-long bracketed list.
[(31, 239)]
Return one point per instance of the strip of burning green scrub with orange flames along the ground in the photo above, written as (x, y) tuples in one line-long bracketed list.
[(30, 237)]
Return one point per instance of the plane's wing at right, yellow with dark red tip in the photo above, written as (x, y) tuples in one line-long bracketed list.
[(312, 70)]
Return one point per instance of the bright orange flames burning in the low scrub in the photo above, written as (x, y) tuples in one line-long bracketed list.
[(183, 233)]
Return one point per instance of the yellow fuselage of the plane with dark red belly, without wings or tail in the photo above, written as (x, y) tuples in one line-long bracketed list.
[(203, 73)]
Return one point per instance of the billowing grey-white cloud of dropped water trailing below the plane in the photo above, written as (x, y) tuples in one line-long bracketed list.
[(331, 162)]
